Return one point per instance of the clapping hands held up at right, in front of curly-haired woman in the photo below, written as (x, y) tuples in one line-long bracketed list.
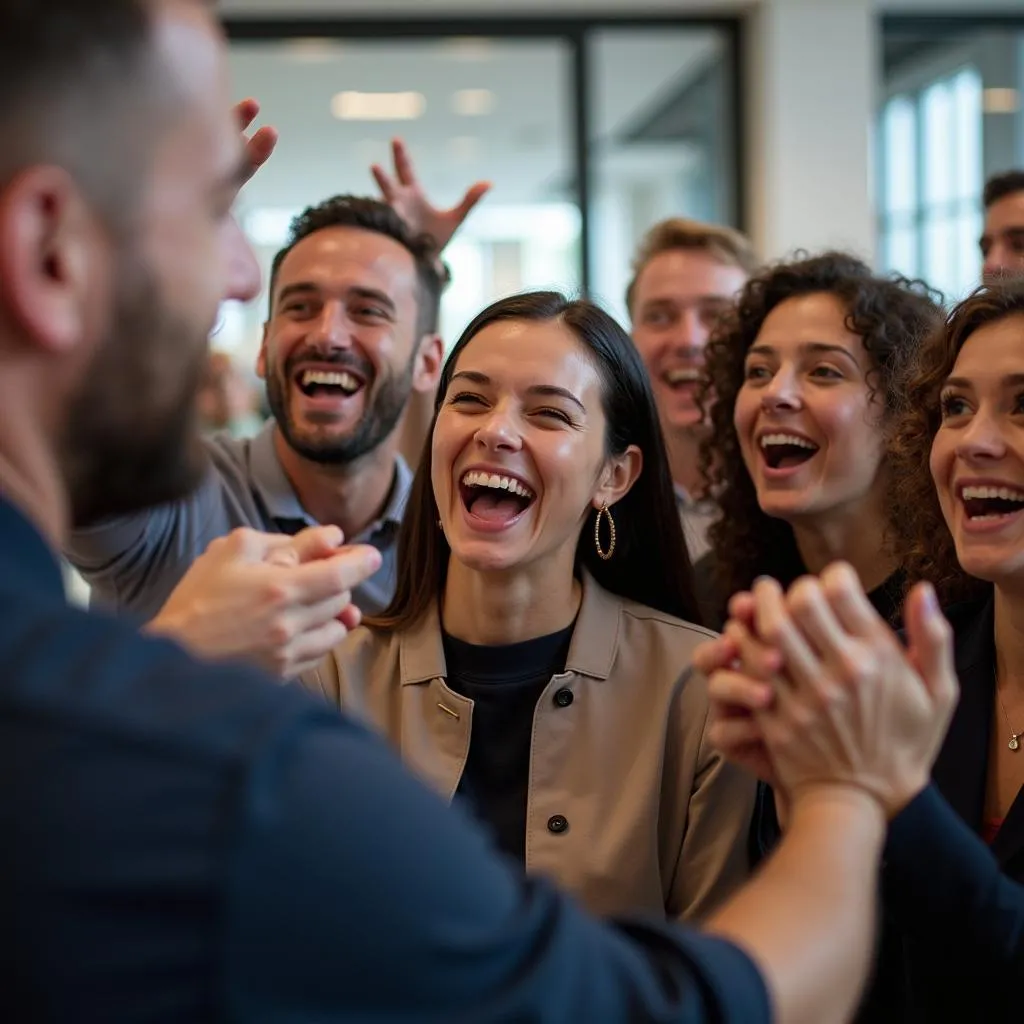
[(812, 690)]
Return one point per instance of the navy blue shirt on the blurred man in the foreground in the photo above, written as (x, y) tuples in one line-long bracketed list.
[(182, 842)]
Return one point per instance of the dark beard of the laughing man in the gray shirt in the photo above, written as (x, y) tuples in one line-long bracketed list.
[(388, 397)]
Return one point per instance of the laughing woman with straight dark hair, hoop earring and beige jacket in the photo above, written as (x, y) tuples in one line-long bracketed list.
[(536, 664)]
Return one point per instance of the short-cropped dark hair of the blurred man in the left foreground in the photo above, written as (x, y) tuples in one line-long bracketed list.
[(78, 81)]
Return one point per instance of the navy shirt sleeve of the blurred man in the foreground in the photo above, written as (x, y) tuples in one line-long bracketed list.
[(357, 894)]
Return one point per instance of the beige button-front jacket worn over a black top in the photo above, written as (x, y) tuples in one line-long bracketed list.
[(629, 807)]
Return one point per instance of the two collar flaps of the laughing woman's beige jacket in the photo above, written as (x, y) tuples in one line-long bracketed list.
[(592, 653)]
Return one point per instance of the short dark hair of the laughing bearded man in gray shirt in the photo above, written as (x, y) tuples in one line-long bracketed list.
[(372, 216)]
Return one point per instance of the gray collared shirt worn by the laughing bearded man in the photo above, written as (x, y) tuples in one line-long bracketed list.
[(134, 564)]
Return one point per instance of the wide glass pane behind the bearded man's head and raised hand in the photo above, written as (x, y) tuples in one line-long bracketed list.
[(489, 109)]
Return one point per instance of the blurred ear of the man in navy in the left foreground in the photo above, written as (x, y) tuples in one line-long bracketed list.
[(56, 262)]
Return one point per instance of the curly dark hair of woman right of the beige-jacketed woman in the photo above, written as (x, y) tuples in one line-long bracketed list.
[(891, 315)]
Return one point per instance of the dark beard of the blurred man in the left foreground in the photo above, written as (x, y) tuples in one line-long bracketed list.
[(132, 437)]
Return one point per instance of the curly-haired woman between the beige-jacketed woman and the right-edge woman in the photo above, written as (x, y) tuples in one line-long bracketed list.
[(804, 374)]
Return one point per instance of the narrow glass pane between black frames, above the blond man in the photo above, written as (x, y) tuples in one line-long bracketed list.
[(662, 142)]
